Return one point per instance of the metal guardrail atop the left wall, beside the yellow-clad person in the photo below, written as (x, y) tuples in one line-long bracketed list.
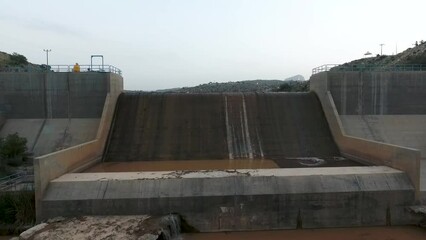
[(62, 68)]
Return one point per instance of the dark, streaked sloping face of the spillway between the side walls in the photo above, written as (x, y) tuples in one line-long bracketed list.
[(287, 128)]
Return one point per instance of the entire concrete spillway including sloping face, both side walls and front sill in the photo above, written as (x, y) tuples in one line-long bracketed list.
[(228, 162)]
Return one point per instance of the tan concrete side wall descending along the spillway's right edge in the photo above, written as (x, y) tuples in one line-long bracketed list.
[(373, 152)]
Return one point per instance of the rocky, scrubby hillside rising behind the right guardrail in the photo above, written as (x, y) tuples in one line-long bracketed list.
[(415, 55)]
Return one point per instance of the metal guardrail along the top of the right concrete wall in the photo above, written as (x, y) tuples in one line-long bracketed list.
[(369, 68)]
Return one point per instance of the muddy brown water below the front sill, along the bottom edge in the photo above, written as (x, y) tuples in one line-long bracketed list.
[(371, 233)]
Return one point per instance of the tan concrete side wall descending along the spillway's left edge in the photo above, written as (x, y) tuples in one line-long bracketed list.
[(51, 166)]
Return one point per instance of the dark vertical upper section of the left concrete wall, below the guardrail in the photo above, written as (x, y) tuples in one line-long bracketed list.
[(52, 95)]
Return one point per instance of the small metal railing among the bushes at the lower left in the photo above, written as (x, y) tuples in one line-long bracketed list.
[(17, 181)]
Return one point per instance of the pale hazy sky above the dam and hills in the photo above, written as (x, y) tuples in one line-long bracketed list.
[(175, 43)]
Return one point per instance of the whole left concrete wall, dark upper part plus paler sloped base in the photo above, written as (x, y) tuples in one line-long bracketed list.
[(52, 110)]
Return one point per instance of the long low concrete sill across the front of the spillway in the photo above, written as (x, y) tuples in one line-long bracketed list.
[(216, 200)]
